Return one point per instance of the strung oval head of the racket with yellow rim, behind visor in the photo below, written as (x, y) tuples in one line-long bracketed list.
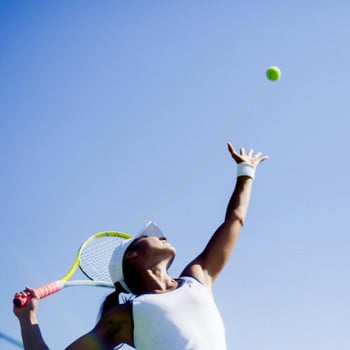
[(95, 254)]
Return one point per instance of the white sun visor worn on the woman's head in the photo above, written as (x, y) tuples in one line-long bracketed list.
[(116, 263)]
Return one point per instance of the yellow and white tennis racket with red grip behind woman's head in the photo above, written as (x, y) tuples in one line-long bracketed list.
[(93, 258)]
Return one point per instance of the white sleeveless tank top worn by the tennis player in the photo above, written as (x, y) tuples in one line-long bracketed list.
[(183, 319)]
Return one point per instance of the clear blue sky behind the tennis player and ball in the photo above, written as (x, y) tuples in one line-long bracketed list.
[(116, 112)]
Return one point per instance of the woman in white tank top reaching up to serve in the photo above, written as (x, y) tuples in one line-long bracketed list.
[(165, 313)]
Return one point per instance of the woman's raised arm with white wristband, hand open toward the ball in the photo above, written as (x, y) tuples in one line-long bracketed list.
[(207, 266)]
